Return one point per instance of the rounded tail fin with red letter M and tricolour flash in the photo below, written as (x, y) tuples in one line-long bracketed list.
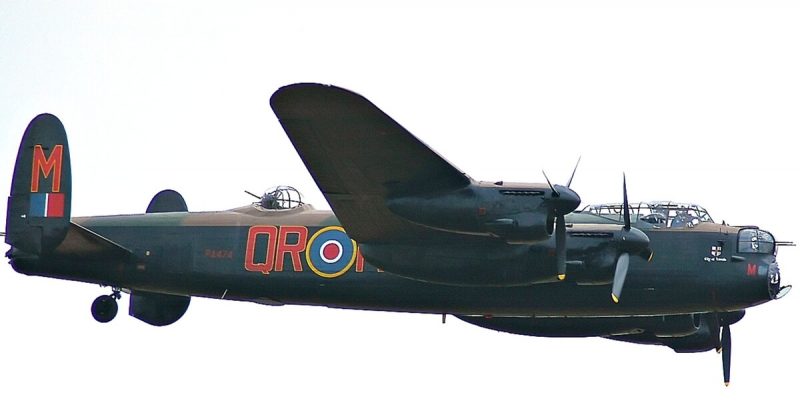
[(41, 189)]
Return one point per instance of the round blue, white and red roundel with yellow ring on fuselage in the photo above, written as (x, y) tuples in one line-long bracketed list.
[(330, 253)]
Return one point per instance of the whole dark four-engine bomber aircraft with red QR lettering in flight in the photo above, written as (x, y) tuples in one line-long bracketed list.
[(409, 232)]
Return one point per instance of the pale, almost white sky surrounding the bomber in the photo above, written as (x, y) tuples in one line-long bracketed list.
[(695, 100)]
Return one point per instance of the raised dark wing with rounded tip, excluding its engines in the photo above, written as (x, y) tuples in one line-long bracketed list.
[(359, 156)]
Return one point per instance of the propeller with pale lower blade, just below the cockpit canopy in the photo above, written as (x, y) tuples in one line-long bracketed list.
[(631, 240)]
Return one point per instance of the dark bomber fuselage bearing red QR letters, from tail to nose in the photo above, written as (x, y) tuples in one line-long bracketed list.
[(237, 256)]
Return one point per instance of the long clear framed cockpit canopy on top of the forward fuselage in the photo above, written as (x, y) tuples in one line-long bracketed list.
[(661, 214)]
